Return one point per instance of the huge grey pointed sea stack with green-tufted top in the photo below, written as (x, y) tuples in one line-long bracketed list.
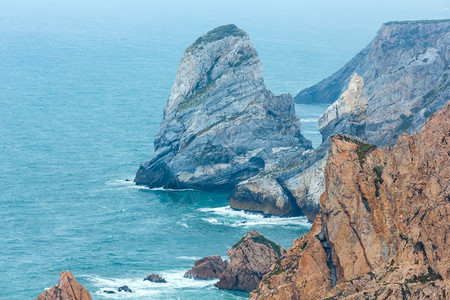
[(221, 126)]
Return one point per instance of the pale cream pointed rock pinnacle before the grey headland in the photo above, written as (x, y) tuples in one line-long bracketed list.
[(347, 114)]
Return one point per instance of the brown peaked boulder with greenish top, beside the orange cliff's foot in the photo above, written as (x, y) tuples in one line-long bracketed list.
[(250, 259)]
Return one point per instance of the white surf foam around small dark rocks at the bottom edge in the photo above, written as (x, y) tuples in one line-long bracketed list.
[(146, 289)]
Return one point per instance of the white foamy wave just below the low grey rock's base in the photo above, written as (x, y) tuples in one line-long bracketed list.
[(228, 216)]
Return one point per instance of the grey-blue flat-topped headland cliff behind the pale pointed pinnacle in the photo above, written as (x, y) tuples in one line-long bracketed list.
[(405, 70)]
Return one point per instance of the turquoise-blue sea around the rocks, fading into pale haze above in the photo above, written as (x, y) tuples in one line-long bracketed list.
[(83, 85)]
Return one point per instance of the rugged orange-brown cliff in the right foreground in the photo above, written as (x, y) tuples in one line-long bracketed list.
[(383, 228)]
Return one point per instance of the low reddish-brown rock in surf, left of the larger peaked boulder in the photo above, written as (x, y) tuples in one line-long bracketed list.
[(207, 268)]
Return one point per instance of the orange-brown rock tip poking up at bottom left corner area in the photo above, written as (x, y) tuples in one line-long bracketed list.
[(67, 289)]
